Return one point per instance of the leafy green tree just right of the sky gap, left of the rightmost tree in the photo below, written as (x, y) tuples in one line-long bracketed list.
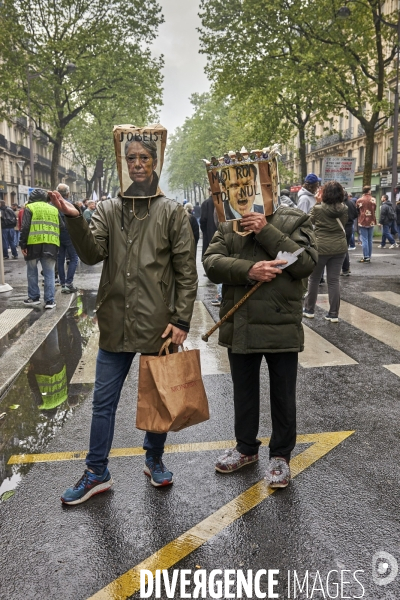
[(261, 71)]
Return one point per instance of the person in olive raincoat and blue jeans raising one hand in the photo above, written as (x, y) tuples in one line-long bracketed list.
[(147, 292)]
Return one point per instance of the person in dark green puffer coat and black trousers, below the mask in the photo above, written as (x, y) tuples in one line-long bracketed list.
[(268, 325)]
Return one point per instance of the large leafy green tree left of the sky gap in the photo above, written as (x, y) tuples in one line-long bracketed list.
[(73, 55)]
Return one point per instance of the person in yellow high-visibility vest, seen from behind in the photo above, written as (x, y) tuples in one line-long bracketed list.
[(39, 240)]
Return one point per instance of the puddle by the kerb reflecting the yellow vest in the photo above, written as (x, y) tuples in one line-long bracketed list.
[(42, 398)]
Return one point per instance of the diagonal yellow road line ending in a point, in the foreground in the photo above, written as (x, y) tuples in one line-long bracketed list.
[(129, 583)]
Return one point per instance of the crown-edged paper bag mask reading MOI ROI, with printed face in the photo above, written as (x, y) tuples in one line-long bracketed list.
[(242, 183)]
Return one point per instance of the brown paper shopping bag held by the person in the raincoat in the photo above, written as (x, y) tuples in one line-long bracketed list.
[(171, 394)]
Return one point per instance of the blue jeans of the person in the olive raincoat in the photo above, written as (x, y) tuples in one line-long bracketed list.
[(111, 371)]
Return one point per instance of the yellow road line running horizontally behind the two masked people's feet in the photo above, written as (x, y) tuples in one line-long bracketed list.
[(21, 459)]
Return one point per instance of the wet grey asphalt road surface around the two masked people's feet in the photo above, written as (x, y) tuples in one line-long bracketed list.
[(335, 515)]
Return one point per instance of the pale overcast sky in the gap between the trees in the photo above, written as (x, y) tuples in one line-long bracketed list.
[(178, 40)]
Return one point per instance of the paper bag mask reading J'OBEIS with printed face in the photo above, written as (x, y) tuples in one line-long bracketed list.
[(140, 155)]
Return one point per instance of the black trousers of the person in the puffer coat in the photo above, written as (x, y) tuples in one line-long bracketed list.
[(245, 371)]
